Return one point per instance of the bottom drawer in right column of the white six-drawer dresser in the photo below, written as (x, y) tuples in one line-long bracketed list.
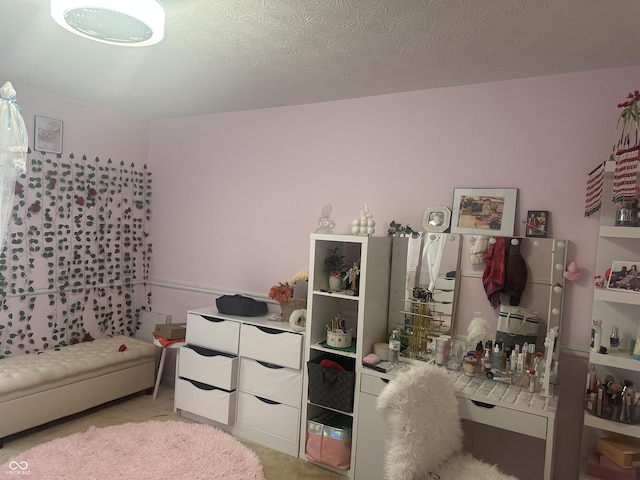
[(275, 419)]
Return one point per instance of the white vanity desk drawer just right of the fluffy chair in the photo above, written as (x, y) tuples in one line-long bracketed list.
[(502, 417)]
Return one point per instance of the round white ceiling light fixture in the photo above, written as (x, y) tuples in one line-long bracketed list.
[(132, 23)]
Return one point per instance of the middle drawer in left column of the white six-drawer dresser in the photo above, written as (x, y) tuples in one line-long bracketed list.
[(208, 366)]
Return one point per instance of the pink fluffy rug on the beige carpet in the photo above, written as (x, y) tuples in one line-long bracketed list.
[(150, 450)]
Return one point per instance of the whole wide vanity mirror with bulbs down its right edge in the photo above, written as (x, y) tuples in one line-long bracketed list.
[(458, 290)]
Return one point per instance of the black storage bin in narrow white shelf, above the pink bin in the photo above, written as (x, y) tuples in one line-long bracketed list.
[(331, 387)]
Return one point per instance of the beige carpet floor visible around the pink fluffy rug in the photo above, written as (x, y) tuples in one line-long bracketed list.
[(140, 408)]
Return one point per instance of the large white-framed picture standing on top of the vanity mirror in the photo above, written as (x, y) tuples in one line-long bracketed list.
[(484, 211)]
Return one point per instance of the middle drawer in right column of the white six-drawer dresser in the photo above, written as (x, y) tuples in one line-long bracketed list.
[(281, 384)]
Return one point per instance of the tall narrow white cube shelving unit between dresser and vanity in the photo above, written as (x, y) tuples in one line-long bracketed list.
[(365, 314)]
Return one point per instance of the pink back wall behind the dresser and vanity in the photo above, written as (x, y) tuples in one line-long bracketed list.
[(242, 191)]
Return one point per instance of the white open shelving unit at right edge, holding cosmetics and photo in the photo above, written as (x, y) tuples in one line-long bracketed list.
[(613, 307)]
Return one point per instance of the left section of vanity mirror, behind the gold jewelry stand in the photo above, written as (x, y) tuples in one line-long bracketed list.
[(423, 289)]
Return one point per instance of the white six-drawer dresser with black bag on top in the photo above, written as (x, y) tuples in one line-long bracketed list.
[(243, 374)]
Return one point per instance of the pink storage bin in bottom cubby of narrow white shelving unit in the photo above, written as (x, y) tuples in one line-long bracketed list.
[(329, 440)]
